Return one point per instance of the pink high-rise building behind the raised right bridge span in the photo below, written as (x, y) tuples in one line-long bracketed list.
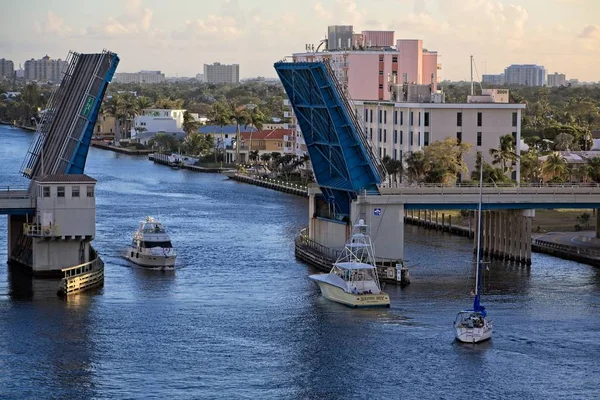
[(366, 74)]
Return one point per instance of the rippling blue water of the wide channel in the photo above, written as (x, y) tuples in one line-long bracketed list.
[(239, 317)]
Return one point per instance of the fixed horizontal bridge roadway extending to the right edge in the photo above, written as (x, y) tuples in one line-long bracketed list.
[(525, 196)]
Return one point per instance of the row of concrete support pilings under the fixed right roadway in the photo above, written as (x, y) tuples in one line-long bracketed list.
[(506, 235)]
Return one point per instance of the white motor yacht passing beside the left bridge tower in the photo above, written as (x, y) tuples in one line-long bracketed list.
[(151, 246)]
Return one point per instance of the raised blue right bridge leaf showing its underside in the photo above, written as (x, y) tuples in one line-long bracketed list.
[(343, 161)]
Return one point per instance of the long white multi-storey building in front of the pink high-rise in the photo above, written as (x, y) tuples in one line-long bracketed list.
[(397, 129)]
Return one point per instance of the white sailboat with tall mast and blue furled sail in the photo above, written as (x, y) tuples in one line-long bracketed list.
[(473, 326)]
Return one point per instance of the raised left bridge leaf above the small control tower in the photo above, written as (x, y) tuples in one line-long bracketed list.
[(64, 134)]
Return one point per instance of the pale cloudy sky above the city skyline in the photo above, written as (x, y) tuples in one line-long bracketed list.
[(179, 36)]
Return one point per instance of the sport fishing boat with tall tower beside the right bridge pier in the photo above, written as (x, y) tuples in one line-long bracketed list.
[(353, 280)]
